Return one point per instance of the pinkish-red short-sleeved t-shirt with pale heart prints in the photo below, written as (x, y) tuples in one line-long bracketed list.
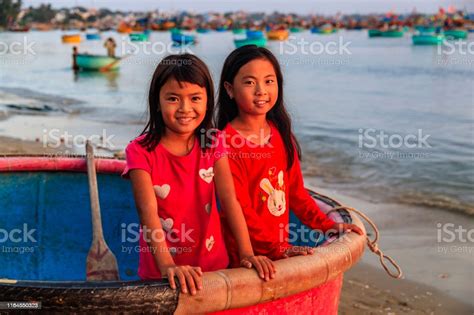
[(185, 193)]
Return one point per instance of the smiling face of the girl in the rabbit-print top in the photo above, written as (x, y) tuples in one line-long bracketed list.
[(255, 87)]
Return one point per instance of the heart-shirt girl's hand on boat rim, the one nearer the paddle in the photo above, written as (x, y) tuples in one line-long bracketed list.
[(190, 278)]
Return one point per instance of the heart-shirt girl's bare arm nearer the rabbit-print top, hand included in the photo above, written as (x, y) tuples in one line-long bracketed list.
[(235, 219)]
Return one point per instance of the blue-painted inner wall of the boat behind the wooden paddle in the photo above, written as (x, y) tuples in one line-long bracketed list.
[(54, 208)]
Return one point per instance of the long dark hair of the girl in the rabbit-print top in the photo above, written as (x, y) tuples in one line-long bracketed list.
[(227, 108)]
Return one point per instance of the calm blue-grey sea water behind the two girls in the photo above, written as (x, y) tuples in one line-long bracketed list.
[(378, 118)]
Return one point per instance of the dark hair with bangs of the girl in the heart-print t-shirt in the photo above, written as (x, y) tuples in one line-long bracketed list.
[(182, 68)]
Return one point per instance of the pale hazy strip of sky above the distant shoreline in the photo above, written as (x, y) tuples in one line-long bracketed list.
[(297, 6)]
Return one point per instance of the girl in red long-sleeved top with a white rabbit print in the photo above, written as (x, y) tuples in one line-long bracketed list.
[(264, 156)]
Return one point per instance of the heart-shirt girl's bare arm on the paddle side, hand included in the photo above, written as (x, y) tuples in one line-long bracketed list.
[(145, 200)]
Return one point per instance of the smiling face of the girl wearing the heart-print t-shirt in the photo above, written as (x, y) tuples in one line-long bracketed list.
[(183, 106)]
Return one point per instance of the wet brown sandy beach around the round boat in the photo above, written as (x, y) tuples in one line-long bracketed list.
[(433, 282)]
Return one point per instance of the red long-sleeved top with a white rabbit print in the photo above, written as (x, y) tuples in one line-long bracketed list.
[(266, 191)]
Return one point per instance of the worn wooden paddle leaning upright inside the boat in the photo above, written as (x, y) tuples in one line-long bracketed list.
[(101, 262)]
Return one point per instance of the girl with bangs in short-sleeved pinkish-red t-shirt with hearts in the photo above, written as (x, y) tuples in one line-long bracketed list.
[(175, 175)]
